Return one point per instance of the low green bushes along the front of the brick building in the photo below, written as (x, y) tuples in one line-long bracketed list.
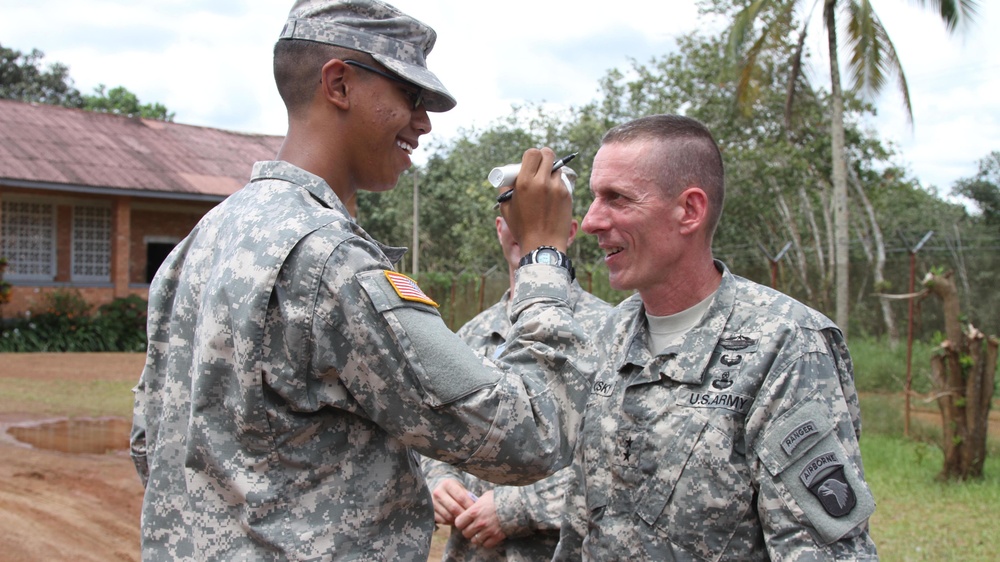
[(65, 323)]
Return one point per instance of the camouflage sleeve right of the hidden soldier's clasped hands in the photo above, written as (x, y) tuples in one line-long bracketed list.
[(523, 510)]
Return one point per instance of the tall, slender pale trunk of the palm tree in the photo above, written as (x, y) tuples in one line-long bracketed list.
[(840, 214)]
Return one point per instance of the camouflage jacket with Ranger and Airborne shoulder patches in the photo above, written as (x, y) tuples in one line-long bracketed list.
[(737, 442)]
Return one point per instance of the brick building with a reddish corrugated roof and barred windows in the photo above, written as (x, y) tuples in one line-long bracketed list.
[(94, 202)]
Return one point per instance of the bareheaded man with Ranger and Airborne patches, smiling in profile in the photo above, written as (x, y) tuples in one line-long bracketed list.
[(723, 423)]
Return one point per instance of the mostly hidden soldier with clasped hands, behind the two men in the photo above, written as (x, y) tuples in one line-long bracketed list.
[(504, 522)]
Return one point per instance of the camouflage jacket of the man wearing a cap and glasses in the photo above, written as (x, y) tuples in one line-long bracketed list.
[(287, 386)]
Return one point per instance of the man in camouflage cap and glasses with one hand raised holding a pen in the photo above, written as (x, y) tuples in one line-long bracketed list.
[(292, 375)]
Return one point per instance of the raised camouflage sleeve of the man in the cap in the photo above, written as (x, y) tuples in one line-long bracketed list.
[(415, 379)]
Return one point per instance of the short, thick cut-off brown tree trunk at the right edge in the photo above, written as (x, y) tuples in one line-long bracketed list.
[(964, 373)]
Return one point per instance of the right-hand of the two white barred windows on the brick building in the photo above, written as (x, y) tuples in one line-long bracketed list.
[(91, 244)]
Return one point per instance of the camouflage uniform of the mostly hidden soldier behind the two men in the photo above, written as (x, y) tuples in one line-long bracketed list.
[(529, 515)]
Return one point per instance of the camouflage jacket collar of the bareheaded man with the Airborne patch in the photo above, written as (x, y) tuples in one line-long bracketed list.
[(687, 359)]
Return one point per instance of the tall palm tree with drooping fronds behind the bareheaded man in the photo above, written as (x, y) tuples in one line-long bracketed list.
[(872, 59)]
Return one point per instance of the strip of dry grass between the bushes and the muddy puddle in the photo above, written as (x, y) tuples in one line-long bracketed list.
[(67, 398)]
